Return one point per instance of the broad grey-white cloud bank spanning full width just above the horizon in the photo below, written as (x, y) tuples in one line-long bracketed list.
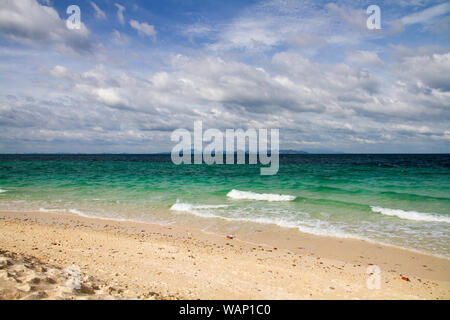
[(325, 106)]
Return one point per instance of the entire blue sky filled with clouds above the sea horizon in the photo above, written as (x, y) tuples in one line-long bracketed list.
[(135, 71)]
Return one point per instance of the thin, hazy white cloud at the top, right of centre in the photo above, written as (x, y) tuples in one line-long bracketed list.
[(272, 24)]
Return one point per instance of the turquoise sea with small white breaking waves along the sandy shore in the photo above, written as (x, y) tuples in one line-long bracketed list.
[(402, 200)]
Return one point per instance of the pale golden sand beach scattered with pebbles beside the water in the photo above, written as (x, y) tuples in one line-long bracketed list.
[(132, 260)]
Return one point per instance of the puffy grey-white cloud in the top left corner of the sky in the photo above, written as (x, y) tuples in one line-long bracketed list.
[(29, 22)]
